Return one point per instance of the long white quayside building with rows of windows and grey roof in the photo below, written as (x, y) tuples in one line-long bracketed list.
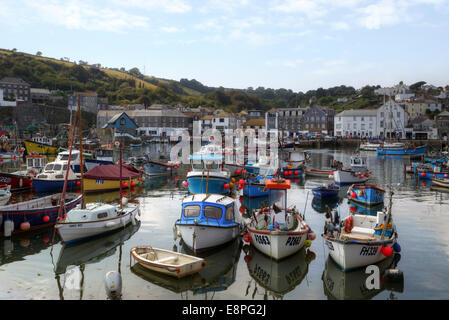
[(356, 123)]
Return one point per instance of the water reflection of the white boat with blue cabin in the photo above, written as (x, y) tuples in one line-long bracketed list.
[(217, 275)]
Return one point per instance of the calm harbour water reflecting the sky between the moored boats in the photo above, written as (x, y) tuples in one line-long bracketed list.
[(32, 268)]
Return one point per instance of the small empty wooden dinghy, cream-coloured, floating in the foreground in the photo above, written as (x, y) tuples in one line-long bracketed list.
[(167, 262)]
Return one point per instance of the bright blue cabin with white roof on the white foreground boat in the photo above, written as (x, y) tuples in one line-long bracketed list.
[(213, 209)]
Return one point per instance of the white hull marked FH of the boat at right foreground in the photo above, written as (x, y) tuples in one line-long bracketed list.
[(352, 255)]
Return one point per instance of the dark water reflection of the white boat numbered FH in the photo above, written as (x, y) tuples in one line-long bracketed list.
[(351, 285)]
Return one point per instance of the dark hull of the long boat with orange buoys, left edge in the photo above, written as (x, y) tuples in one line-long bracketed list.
[(30, 212)]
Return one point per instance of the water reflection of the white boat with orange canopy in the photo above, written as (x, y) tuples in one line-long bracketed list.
[(277, 278)]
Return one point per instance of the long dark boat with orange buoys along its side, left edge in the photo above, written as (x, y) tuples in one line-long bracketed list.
[(34, 214)]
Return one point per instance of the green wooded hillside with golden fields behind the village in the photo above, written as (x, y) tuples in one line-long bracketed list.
[(121, 87)]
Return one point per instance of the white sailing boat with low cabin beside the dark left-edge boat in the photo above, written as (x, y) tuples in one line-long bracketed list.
[(96, 219)]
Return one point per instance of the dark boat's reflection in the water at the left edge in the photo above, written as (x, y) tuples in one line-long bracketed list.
[(25, 244)]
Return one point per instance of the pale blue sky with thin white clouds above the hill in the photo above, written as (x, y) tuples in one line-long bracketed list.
[(294, 44)]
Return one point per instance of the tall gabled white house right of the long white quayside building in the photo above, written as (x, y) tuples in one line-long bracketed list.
[(391, 117)]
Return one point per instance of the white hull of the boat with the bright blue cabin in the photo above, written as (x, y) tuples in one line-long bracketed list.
[(206, 237)]
